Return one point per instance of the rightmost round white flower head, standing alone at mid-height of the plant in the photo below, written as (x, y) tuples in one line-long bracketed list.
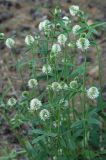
[(92, 93)]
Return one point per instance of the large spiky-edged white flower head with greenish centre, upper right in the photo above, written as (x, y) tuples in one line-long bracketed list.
[(83, 43)]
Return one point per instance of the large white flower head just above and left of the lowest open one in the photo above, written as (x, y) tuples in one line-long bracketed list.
[(35, 104)]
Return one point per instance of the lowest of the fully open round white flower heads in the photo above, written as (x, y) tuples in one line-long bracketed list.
[(44, 114)]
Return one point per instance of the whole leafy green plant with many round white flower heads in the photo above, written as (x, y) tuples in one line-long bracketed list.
[(60, 114)]
